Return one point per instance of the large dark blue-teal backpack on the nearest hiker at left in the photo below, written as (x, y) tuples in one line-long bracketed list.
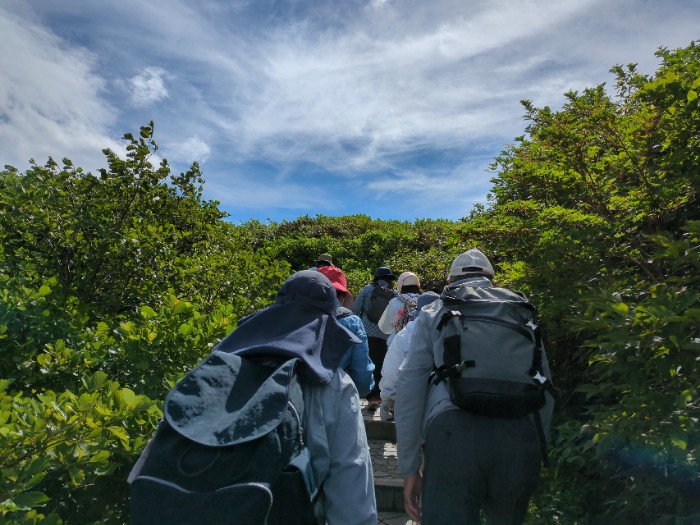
[(229, 450)]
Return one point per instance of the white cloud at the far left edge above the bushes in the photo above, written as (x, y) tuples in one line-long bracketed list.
[(50, 98)]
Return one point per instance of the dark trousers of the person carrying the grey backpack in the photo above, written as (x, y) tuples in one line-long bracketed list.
[(476, 462)]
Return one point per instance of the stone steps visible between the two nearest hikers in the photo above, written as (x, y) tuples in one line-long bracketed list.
[(388, 484)]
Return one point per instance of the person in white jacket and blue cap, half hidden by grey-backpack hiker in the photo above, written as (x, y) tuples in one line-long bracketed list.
[(395, 355)]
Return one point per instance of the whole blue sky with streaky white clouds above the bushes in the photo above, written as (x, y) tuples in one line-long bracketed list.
[(390, 108)]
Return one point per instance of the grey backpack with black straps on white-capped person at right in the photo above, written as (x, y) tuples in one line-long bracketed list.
[(492, 355)]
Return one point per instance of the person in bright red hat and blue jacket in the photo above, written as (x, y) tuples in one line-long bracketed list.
[(356, 361)]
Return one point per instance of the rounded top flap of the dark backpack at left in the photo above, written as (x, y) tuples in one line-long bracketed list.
[(213, 404)]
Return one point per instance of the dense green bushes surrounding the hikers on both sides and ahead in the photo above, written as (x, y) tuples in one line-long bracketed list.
[(115, 284)]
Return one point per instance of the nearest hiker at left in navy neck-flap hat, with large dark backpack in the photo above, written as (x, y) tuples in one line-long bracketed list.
[(216, 454)]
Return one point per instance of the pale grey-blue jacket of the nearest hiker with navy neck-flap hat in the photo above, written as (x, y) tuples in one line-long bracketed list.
[(340, 458)]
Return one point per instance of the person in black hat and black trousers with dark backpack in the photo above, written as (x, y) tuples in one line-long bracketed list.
[(369, 306)]
